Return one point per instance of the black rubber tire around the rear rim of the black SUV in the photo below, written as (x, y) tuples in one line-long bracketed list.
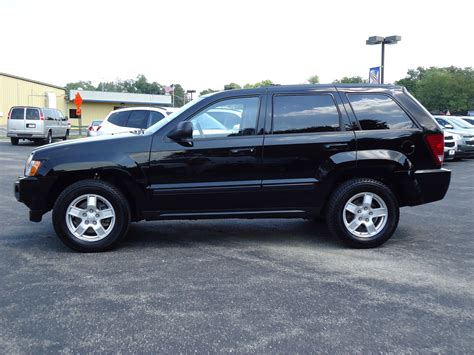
[(335, 213)]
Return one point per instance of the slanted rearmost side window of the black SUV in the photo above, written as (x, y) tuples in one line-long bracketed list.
[(375, 111)]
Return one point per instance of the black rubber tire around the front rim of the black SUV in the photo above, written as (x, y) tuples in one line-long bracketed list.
[(102, 189)]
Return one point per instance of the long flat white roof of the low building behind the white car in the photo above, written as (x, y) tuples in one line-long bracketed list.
[(121, 97)]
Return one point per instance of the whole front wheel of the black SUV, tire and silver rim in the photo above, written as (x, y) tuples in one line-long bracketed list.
[(91, 216)]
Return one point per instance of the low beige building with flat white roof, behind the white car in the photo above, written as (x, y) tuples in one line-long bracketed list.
[(97, 104)]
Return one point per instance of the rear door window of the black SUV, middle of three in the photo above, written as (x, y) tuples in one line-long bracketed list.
[(304, 114)]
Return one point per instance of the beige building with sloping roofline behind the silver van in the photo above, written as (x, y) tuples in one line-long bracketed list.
[(15, 90)]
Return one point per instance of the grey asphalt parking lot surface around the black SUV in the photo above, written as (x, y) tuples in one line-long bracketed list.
[(266, 286)]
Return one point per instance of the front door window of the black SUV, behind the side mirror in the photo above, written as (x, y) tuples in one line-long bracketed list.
[(205, 125)]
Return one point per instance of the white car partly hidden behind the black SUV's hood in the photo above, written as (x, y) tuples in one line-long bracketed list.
[(126, 119)]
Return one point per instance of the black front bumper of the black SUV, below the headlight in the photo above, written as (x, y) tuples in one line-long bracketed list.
[(34, 192)]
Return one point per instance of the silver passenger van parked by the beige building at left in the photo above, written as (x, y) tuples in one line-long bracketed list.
[(36, 124)]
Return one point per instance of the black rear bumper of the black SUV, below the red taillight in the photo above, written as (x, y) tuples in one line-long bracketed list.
[(427, 186)]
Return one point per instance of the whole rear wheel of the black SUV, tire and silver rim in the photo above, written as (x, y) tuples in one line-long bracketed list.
[(363, 213)]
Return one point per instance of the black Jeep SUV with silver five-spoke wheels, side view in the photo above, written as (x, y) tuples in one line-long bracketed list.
[(353, 154)]
